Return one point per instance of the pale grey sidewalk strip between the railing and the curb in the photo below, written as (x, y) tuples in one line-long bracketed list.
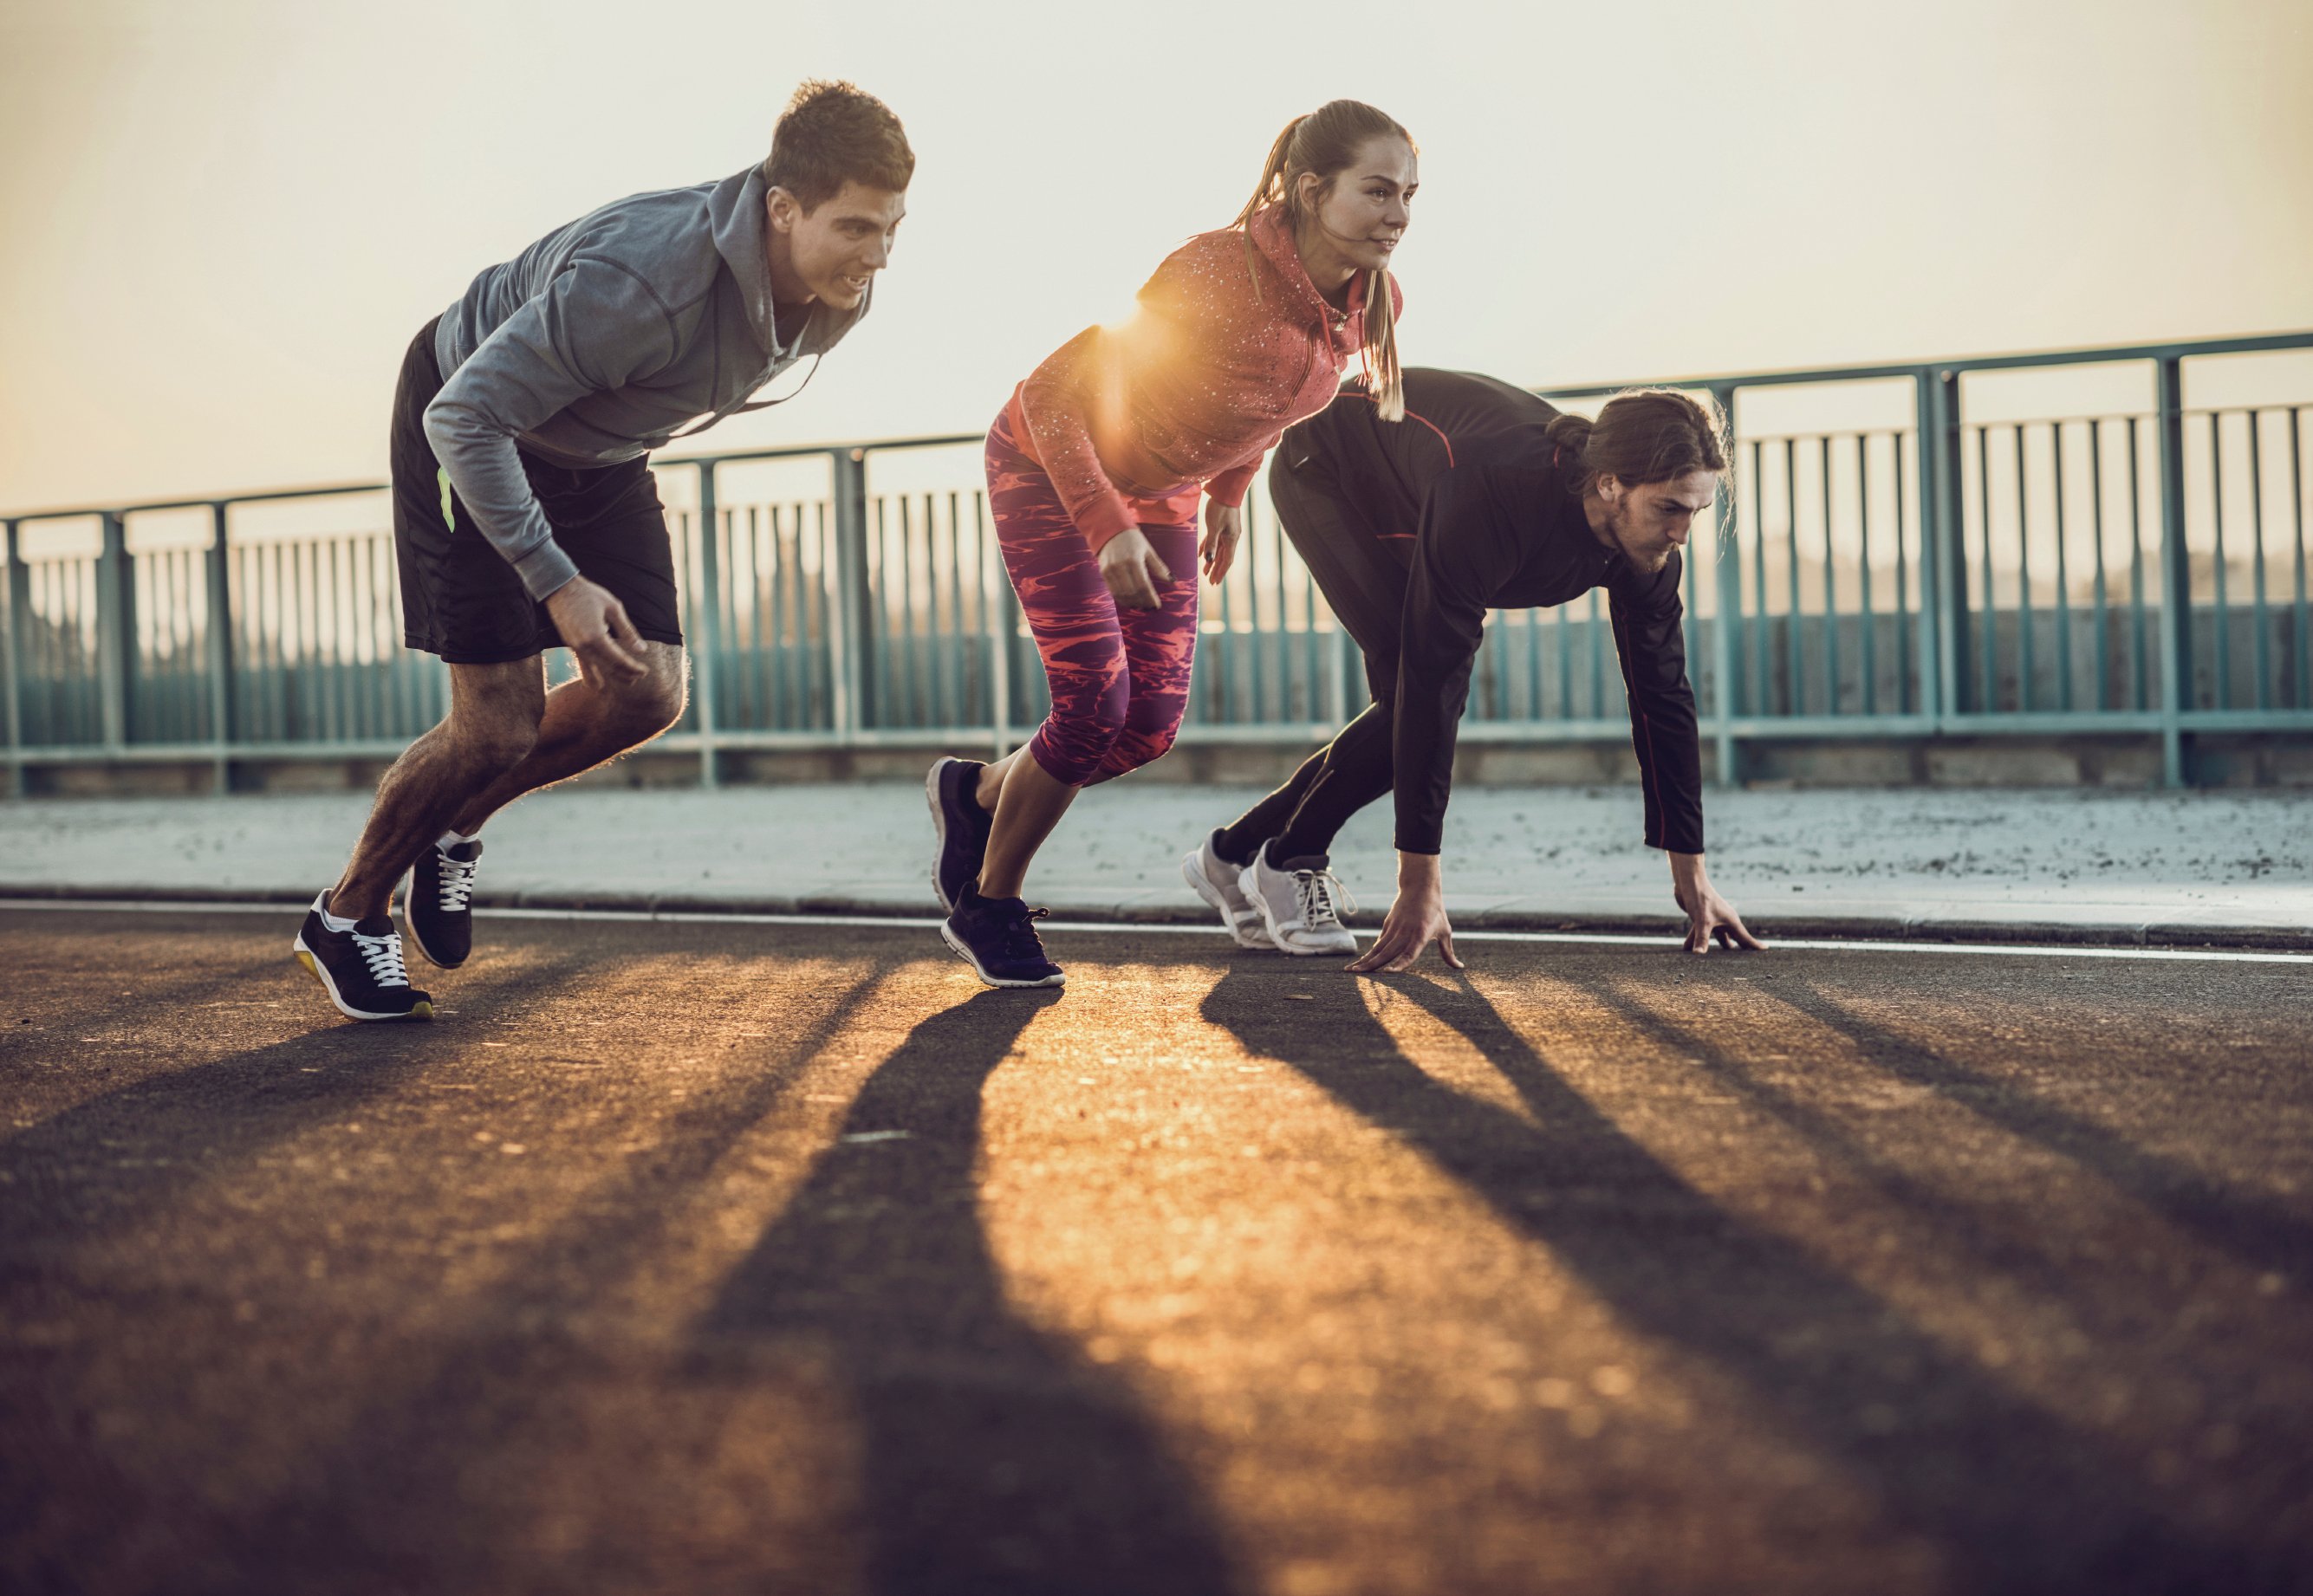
[(2166, 869)]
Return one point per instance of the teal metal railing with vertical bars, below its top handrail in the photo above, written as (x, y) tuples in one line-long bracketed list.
[(2136, 572)]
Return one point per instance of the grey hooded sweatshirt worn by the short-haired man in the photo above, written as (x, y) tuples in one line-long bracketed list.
[(600, 343)]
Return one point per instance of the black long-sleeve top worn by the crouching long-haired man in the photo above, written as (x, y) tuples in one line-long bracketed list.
[(1498, 529)]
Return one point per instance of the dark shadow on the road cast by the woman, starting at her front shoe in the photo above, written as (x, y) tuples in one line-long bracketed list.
[(996, 1458)]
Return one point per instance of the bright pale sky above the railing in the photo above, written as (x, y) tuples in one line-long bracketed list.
[(226, 219)]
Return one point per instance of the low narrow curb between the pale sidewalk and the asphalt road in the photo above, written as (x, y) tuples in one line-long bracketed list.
[(1849, 926)]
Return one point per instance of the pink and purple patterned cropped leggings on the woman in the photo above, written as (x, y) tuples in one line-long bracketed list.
[(1118, 677)]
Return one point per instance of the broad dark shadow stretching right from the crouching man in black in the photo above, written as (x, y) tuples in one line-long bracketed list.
[(2011, 1498)]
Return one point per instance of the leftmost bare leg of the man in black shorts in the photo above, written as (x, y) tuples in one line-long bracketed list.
[(492, 727)]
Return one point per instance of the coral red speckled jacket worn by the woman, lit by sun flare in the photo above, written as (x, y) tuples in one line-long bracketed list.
[(1197, 387)]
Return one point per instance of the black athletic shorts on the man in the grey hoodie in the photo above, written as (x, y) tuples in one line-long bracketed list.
[(459, 598)]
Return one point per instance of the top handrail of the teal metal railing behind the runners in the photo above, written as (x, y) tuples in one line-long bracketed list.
[(2175, 350)]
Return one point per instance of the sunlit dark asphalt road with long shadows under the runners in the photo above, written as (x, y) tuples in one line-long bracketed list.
[(785, 1259)]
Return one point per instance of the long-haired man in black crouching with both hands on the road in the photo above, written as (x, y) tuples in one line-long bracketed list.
[(1479, 498)]
